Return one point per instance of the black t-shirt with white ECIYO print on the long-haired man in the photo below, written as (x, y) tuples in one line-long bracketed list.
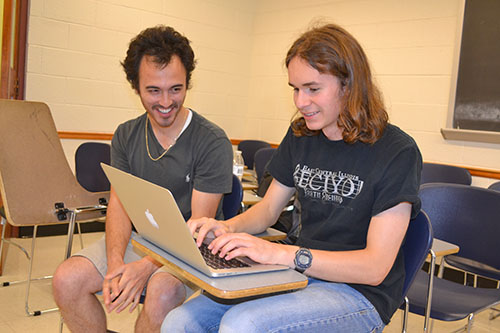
[(342, 186)]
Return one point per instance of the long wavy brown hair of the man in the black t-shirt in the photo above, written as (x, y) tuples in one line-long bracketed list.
[(332, 50)]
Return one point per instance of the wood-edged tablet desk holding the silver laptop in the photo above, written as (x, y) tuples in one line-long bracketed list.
[(225, 288)]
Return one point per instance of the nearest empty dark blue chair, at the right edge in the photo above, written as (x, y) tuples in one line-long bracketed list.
[(468, 217)]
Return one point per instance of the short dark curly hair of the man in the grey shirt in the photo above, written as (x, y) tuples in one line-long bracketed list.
[(160, 42)]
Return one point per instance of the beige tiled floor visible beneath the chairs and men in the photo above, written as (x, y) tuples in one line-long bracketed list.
[(50, 251)]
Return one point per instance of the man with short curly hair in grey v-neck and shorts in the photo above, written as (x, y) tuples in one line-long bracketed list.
[(169, 145)]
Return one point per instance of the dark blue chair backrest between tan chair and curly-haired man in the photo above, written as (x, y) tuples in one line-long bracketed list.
[(88, 170)]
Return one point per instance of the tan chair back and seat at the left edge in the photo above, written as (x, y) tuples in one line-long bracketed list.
[(34, 171)]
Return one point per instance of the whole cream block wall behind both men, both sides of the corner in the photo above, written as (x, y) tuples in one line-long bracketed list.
[(240, 82)]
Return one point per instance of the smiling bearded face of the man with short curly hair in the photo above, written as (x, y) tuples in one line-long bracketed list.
[(162, 90)]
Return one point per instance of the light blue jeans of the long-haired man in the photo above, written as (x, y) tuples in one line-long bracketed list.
[(320, 307)]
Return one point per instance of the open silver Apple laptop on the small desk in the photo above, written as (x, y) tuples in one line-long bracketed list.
[(157, 218)]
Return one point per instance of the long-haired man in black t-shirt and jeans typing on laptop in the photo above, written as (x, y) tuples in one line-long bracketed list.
[(356, 177)]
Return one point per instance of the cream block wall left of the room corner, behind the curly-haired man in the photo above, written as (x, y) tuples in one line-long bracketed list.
[(75, 48)]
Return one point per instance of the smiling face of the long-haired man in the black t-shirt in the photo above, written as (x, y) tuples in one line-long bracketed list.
[(317, 96)]
